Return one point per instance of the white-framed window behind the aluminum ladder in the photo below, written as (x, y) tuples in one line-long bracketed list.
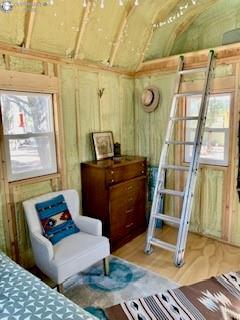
[(214, 149)]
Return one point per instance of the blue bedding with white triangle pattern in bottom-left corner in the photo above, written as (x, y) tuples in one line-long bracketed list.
[(25, 297)]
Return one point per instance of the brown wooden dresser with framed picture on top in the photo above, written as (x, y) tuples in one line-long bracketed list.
[(115, 192)]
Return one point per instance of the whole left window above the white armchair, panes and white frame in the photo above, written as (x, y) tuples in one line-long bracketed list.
[(29, 137)]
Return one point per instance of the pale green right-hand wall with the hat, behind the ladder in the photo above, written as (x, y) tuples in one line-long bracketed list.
[(150, 128)]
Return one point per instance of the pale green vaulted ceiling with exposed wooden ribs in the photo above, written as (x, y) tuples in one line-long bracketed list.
[(121, 36)]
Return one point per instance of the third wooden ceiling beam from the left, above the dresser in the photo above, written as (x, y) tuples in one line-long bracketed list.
[(117, 42)]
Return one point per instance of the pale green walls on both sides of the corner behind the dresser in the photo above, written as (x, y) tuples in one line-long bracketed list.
[(119, 110)]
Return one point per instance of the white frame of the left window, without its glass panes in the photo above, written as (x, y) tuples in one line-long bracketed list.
[(14, 178)]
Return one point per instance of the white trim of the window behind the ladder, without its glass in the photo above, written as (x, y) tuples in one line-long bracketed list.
[(226, 131)]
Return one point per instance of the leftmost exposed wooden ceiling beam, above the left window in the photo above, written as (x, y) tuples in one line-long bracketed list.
[(29, 22)]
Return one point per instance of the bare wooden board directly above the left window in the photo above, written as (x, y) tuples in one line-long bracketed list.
[(21, 81)]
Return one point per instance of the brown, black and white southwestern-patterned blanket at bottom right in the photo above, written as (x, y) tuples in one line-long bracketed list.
[(214, 299)]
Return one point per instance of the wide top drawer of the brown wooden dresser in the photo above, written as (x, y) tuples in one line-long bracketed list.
[(123, 173)]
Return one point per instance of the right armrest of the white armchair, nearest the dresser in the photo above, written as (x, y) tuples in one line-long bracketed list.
[(89, 225)]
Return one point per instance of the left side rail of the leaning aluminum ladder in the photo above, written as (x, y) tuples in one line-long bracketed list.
[(161, 171)]
